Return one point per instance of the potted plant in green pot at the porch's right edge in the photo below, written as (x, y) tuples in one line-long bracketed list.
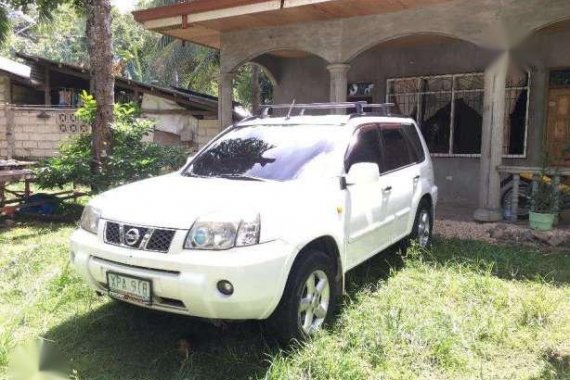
[(543, 203)]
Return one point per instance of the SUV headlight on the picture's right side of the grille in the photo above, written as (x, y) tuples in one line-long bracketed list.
[(213, 233)]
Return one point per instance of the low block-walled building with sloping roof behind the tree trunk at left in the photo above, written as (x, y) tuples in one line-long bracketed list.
[(38, 101)]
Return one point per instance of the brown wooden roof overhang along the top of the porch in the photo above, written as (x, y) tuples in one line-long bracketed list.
[(203, 21)]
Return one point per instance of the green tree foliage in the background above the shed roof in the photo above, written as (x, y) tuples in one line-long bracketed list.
[(142, 55)]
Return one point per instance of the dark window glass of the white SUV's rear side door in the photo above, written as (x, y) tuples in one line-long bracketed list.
[(397, 151)]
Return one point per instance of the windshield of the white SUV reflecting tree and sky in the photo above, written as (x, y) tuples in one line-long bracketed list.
[(273, 152)]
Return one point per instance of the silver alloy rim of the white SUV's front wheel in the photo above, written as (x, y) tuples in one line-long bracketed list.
[(314, 304)]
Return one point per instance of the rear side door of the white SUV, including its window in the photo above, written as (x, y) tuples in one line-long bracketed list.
[(401, 176)]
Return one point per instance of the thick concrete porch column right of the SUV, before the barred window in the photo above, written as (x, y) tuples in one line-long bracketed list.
[(492, 141)]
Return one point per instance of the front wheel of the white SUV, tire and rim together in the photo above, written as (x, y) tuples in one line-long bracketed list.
[(309, 298)]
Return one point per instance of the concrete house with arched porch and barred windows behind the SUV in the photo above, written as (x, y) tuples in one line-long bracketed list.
[(488, 81)]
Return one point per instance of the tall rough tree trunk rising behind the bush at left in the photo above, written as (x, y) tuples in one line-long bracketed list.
[(100, 46)]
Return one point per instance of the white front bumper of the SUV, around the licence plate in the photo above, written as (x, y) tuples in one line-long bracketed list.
[(184, 282)]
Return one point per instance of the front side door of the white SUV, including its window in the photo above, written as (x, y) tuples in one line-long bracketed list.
[(366, 227)]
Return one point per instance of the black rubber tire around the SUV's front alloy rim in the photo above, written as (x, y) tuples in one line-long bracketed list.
[(285, 322)]
